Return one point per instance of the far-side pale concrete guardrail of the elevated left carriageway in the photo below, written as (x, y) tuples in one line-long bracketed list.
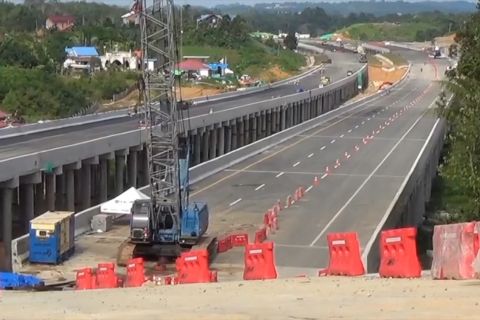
[(110, 115)]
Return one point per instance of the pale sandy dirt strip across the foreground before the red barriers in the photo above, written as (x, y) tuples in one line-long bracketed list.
[(297, 298)]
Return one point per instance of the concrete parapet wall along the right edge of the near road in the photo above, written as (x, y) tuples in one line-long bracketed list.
[(408, 206)]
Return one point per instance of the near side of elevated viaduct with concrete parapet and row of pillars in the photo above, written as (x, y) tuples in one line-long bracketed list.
[(81, 168)]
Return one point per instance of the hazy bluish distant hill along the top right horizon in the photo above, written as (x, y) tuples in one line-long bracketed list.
[(377, 8)]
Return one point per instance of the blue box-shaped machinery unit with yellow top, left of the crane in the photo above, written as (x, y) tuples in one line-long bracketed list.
[(52, 237)]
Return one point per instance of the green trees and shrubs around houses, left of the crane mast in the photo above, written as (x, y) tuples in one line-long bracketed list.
[(31, 57)]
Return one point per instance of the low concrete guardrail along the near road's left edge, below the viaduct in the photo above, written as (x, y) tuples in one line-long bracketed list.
[(19, 246)]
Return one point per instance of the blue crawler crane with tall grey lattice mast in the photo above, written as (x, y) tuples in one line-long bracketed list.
[(167, 223)]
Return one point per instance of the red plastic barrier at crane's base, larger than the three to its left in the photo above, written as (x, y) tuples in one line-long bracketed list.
[(192, 267)]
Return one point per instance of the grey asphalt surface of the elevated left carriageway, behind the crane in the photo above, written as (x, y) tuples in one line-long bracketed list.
[(13, 147)]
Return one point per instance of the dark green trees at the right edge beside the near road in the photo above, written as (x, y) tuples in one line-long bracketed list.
[(462, 163)]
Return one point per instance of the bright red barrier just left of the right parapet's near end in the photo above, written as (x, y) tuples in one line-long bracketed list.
[(344, 251)]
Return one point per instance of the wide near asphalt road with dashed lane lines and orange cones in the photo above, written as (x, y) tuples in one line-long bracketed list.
[(353, 193)]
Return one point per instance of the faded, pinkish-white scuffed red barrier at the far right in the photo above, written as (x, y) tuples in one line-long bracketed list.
[(455, 247)]
